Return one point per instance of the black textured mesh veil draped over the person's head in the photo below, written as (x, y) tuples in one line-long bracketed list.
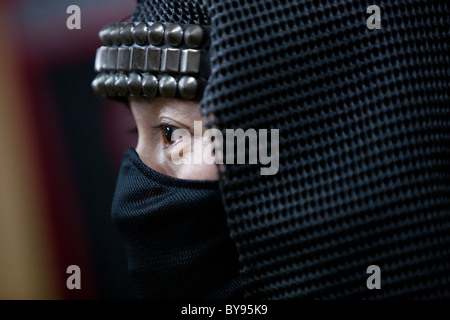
[(364, 120)]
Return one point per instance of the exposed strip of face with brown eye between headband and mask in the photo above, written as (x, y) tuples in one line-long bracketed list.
[(156, 119)]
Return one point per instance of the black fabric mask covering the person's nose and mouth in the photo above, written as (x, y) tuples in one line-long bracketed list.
[(175, 233)]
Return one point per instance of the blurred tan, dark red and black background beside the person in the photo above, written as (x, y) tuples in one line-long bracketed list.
[(60, 151)]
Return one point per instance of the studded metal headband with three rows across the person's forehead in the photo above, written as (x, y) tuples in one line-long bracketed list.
[(152, 59)]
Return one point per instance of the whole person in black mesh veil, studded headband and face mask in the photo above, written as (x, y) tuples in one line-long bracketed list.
[(359, 207)]
